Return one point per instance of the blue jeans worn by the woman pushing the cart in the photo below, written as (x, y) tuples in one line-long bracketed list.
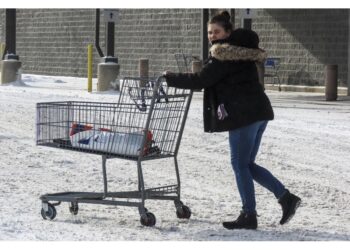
[(244, 146)]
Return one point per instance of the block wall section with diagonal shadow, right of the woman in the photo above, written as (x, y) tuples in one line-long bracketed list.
[(306, 40)]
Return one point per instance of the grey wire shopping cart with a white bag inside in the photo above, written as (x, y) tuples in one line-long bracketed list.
[(146, 123)]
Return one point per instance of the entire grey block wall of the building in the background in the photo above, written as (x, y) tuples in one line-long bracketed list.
[(54, 41)]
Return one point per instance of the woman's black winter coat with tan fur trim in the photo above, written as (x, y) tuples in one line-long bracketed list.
[(228, 77)]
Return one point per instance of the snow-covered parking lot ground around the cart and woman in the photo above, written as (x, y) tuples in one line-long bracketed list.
[(307, 147)]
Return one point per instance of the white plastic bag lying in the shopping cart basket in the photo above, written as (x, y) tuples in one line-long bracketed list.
[(128, 144)]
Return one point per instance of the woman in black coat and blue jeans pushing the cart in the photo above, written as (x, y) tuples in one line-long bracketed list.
[(234, 101)]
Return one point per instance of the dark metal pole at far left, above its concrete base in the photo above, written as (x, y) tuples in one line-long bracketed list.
[(11, 31)]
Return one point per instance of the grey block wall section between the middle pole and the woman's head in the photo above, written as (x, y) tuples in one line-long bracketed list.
[(156, 34)]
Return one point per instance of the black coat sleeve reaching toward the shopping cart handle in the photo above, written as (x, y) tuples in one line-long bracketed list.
[(211, 73)]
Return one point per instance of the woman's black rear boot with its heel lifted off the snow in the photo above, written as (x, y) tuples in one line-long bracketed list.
[(289, 203)]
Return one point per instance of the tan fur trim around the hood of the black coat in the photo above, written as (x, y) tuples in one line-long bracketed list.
[(227, 52)]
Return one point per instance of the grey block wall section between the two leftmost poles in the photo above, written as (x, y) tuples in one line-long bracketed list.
[(54, 41)]
